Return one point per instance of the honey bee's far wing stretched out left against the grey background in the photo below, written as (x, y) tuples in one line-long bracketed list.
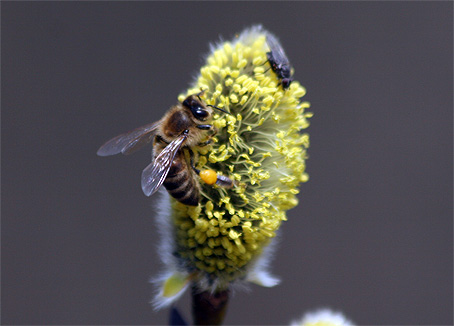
[(129, 142)]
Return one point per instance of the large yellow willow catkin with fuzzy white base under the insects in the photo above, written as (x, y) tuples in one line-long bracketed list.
[(260, 144)]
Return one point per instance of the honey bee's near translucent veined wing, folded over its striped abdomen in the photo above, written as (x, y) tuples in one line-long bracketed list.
[(155, 173)]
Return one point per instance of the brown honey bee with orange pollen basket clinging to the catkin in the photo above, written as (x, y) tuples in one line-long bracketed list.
[(183, 127)]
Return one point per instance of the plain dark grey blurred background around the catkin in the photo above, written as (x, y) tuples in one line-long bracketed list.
[(372, 235)]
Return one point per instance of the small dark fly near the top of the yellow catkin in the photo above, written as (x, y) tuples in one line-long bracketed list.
[(279, 62)]
